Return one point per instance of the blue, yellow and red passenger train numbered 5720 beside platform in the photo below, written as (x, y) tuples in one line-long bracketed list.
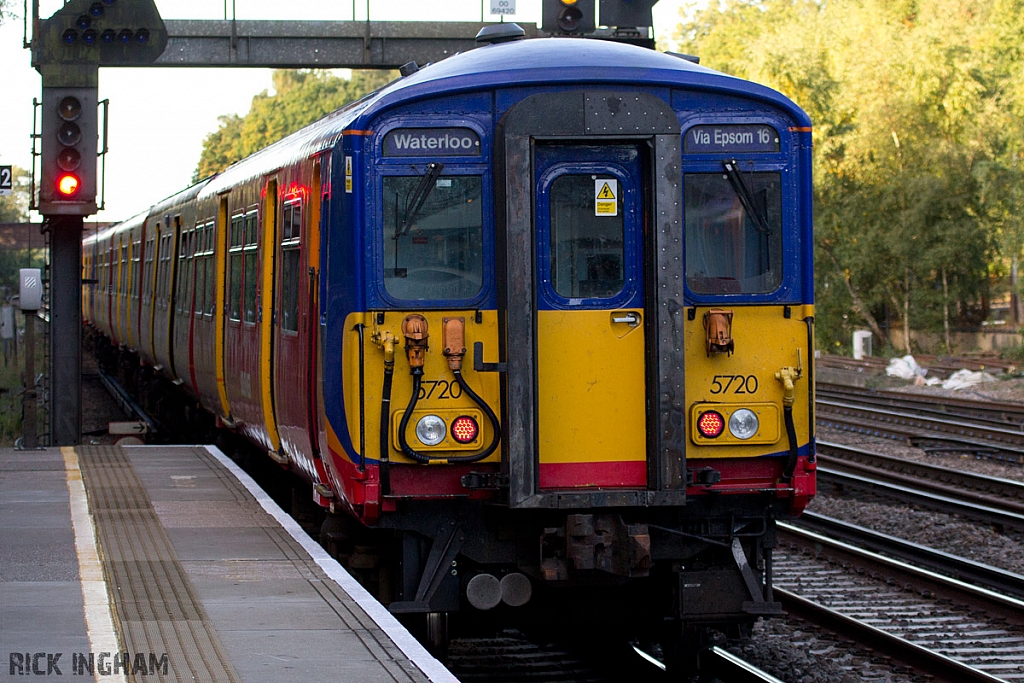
[(534, 324)]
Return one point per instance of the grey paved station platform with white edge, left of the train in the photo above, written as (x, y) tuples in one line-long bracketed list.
[(168, 564)]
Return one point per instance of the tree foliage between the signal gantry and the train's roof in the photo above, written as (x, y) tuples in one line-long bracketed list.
[(301, 99)]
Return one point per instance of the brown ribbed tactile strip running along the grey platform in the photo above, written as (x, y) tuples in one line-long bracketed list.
[(155, 605)]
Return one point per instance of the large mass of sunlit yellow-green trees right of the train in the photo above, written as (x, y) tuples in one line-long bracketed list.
[(919, 138)]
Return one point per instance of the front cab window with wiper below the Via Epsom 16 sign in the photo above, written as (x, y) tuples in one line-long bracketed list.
[(734, 233)]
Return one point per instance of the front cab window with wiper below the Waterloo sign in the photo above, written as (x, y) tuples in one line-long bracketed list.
[(434, 229)]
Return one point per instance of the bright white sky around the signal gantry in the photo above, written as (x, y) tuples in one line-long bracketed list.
[(159, 117)]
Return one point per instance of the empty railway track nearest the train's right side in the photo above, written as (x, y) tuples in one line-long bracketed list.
[(935, 625)]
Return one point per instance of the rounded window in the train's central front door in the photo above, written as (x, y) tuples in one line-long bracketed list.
[(587, 257)]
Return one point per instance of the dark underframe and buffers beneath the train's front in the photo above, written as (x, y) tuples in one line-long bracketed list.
[(660, 577)]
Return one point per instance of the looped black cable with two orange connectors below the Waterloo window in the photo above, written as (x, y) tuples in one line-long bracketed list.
[(415, 330)]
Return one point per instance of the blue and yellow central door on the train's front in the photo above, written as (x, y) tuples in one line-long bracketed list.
[(591, 389)]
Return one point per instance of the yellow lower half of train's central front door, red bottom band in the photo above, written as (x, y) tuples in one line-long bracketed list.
[(591, 399)]
